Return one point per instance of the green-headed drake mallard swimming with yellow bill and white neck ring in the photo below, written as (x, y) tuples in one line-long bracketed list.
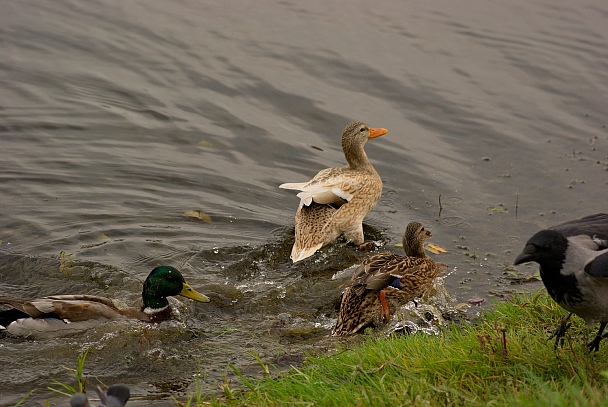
[(67, 314)]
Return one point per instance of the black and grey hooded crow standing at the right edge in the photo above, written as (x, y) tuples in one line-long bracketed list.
[(573, 259)]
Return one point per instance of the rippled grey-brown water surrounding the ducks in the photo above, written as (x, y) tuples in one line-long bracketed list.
[(116, 118)]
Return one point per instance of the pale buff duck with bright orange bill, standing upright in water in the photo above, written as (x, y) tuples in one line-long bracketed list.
[(336, 200)]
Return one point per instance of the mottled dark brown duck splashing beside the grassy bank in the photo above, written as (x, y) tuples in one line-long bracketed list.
[(385, 282)]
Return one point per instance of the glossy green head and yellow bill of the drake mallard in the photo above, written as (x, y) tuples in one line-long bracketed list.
[(165, 281)]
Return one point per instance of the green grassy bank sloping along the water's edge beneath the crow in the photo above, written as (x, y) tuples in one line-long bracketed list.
[(503, 360)]
